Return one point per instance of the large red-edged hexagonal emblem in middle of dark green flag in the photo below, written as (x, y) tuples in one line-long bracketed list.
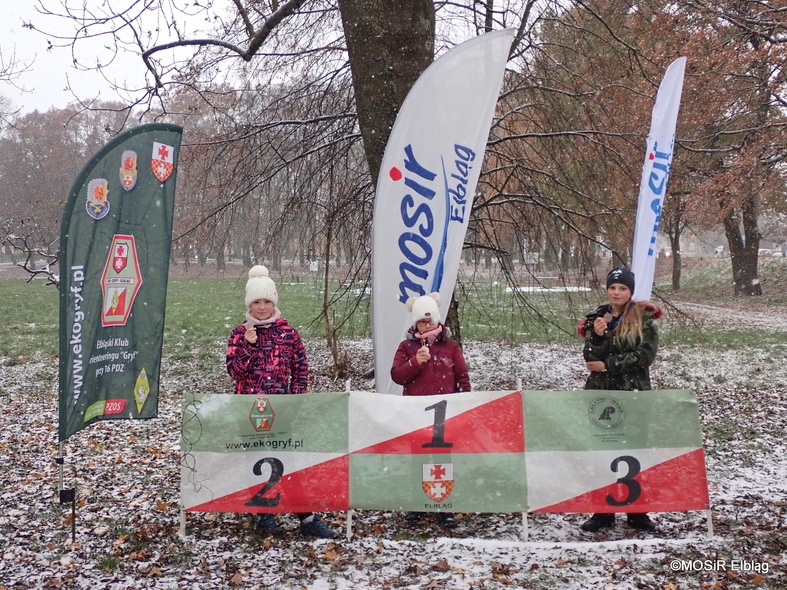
[(120, 281)]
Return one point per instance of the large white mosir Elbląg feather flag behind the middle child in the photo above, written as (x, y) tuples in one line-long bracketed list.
[(426, 186)]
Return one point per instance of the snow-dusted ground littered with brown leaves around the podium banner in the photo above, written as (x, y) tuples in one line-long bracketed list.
[(127, 479)]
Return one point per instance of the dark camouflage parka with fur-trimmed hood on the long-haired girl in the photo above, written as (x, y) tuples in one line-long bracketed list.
[(628, 365)]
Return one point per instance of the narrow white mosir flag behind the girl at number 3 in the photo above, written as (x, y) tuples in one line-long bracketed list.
[(655, 174)]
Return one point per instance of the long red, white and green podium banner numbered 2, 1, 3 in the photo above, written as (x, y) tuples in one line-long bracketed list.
[(535, 451)]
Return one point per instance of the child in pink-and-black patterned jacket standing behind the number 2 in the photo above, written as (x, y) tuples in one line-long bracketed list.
[(265, 356)]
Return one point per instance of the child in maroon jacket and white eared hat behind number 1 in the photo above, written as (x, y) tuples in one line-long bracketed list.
[(429, 362)]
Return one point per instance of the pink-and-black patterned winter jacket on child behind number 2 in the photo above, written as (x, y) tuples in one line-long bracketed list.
[(275, 364)]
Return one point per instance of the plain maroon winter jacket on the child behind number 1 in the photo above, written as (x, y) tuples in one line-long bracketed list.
[(444, 372)]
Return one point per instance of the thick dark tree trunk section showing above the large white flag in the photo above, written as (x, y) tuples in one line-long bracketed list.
[(390, 43)]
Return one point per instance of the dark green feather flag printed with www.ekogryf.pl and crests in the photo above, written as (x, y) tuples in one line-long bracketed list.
[(114, 262)]
